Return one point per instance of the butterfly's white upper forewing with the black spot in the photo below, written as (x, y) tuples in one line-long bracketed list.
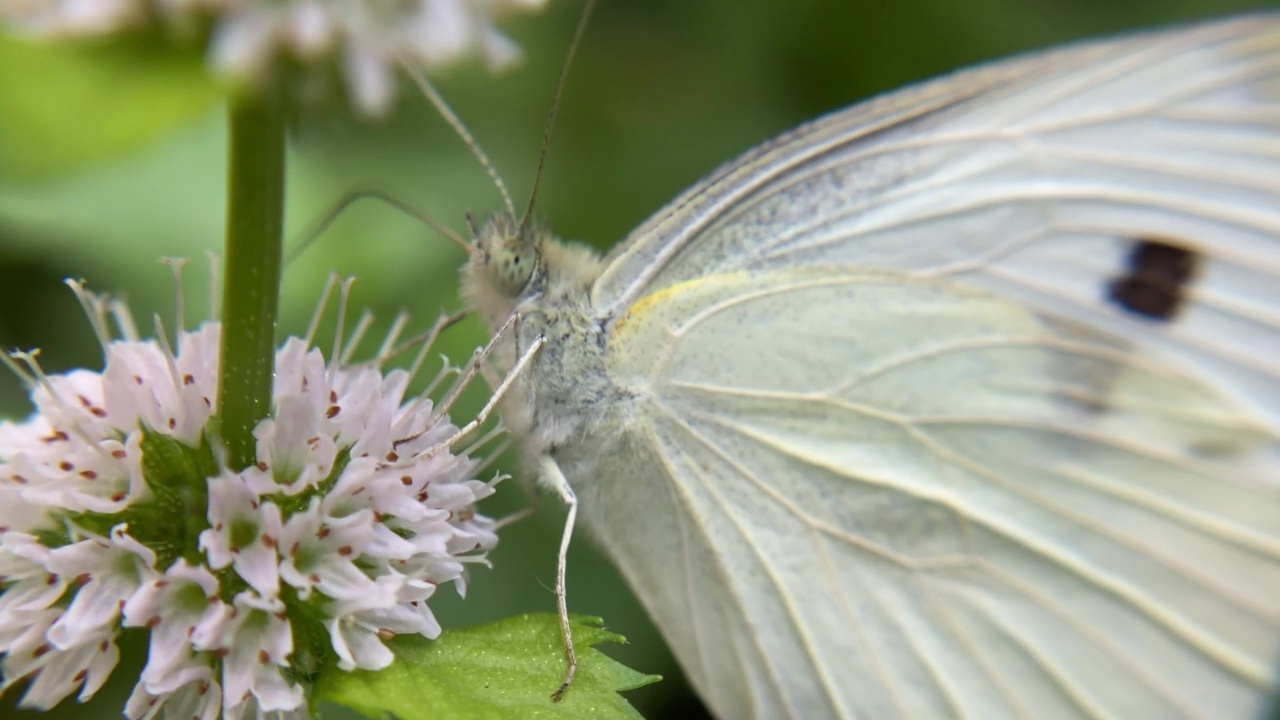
[(1043, 179)]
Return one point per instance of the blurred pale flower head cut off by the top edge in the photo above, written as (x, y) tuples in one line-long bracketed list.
[(365, 40)]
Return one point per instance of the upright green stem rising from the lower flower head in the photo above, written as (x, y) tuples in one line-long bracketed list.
[(252, 290)]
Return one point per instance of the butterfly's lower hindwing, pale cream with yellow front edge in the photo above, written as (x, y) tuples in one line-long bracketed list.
[(831, 517)]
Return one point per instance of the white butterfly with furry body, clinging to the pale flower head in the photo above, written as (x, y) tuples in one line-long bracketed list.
[(964, 402)]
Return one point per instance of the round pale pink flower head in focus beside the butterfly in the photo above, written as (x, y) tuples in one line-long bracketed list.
[(117, 512)]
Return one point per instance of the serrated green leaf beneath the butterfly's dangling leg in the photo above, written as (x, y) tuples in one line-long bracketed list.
[(505, 671)]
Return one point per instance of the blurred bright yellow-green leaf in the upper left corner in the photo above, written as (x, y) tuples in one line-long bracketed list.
[(68, 104)]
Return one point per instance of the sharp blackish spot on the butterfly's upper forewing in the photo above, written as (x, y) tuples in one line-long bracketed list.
[(1155, 281)]
